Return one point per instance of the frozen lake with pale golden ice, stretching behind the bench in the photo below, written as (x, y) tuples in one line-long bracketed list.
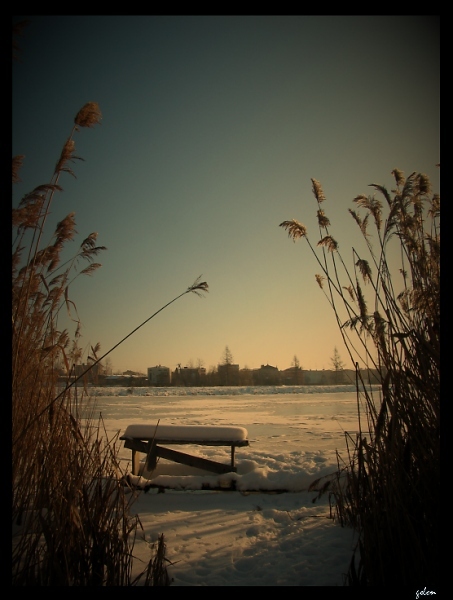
[(289, 427)]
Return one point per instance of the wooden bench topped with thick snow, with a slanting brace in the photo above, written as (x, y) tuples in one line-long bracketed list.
[(147, 439)]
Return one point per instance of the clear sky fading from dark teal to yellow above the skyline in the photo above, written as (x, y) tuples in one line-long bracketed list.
[(212, 130)]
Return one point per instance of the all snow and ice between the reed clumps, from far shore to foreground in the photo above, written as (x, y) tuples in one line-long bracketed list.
[(250, 536)]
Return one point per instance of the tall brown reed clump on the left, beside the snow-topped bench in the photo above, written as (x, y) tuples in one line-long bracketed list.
[(71, 513)]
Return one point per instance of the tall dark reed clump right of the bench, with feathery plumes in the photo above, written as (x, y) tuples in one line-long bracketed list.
[(388, 489)]
